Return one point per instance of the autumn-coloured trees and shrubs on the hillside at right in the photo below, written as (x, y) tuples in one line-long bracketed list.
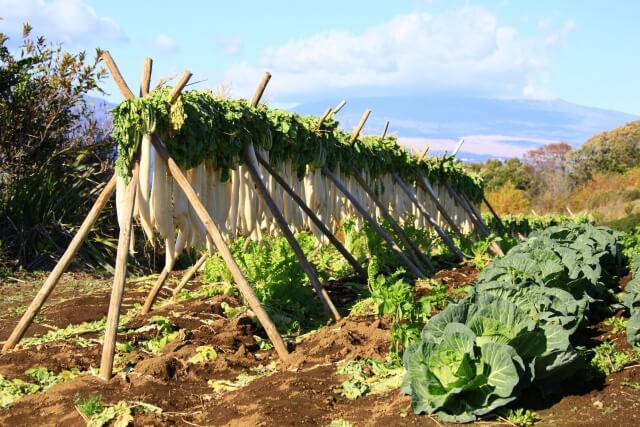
[(602, 177)]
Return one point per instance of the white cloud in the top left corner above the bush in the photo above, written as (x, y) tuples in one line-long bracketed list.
[(68, 21)]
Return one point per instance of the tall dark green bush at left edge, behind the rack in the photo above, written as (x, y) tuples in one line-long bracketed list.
[(52, 154)]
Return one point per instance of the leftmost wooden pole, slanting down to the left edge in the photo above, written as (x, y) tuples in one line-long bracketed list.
[(53, 278)]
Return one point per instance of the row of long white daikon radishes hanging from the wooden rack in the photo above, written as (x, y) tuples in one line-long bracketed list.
[(161, 206)]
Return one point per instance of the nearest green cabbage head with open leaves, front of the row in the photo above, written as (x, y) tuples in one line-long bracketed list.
[(458, 379)]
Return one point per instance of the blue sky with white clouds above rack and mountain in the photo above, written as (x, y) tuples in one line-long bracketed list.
[(581, 51)]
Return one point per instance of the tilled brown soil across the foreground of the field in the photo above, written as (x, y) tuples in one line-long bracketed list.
[(301, 391)]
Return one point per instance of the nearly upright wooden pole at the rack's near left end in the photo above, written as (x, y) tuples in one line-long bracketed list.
[(119, 279)]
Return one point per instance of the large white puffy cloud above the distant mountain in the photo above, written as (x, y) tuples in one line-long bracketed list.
[(464, 50)]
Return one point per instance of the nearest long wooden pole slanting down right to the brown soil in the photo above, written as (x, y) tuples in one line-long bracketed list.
[(223, 249)]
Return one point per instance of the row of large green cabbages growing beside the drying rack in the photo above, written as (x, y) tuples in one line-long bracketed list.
[(515, 328)]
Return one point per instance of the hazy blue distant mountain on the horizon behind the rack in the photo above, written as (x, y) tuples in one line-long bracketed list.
[(496, 128)]
